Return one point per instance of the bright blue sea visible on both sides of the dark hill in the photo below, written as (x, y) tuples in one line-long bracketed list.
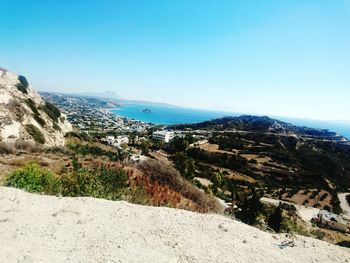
[(167, 114)]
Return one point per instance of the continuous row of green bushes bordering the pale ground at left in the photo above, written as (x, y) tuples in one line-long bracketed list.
[(100, 182)]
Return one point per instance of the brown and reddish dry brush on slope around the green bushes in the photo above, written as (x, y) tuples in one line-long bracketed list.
[(152, 183)]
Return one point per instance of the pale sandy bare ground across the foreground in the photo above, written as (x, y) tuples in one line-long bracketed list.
[(37, 228)]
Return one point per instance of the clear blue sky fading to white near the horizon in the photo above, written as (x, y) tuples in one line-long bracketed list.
[(285, 58)]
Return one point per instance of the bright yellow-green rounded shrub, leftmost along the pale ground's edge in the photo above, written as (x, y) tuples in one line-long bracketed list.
[(33, 178)]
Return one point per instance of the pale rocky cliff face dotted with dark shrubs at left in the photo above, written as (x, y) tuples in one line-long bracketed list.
[(25, 116)]
